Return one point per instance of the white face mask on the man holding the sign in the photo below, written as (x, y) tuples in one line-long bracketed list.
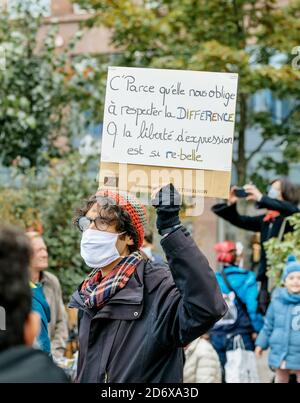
[(98, 248)]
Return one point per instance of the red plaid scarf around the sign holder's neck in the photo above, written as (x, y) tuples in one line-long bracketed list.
[(96, 290)]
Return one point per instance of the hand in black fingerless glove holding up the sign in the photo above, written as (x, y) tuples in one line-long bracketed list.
[(167, 203)]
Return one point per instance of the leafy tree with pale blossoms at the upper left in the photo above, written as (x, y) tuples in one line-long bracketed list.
[(40, 88)]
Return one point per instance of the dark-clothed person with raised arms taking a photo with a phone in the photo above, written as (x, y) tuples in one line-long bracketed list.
[(281, 202)]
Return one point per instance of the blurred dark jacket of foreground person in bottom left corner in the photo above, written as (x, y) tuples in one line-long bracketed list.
[(26, 365)]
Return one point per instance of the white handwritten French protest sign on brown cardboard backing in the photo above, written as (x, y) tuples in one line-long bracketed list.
[(168, 126)]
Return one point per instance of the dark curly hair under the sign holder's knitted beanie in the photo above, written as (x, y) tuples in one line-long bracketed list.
[(111, 213)]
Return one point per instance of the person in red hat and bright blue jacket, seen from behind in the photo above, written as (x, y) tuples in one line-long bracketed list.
[(239, 288)]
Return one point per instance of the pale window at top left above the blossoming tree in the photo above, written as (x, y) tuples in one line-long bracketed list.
[(36, 7)]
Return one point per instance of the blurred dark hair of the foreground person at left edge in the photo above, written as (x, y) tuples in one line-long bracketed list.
[(15, 292)]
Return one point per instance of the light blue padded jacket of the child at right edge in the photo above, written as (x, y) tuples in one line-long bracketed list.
[(281, 331)]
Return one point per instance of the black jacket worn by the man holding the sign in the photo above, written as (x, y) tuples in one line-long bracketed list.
[(139, 334)]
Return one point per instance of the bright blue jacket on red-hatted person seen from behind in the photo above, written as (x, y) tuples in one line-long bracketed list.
[(244, 284)]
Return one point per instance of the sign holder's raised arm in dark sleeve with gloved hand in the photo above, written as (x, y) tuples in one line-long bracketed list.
[(196, 303)]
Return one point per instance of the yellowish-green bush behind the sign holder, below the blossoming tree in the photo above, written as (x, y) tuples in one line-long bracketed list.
[(46, 202)]
